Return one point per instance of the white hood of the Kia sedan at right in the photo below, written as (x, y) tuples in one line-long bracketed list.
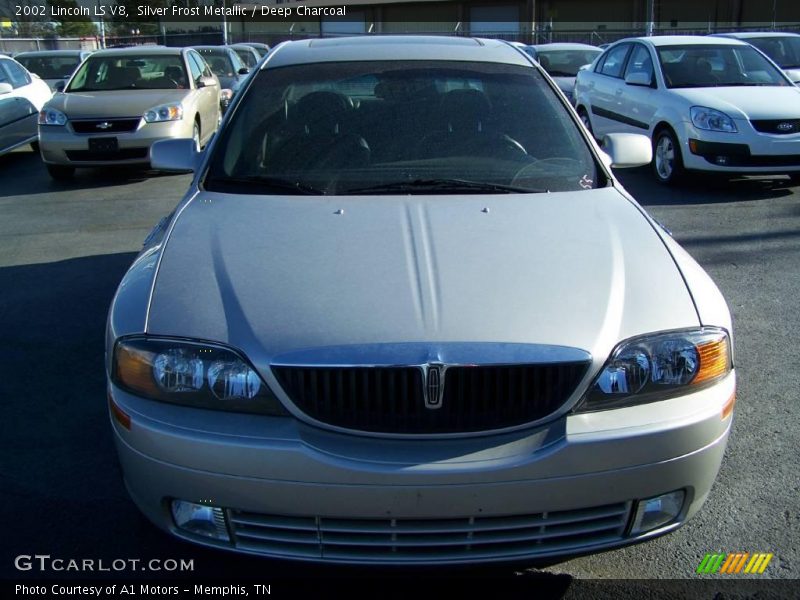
[(747, 102)]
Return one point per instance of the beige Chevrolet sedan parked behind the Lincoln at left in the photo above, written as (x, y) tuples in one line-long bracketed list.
[(121, 101)]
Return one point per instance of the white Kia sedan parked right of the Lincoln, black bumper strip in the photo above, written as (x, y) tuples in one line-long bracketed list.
[(707, 103)]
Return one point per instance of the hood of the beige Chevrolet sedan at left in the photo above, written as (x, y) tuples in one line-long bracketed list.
[(117, 103)]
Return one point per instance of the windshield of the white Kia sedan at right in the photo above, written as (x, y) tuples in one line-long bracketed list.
[(717, 66)]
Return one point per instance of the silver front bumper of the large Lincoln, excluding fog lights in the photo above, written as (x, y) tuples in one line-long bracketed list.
[(293, 491)]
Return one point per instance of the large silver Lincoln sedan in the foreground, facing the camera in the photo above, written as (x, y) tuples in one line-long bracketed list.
[(407, 314)]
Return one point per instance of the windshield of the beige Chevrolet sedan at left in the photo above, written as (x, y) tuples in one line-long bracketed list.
[(152, 72)]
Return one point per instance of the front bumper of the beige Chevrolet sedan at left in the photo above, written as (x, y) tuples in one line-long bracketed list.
[(62, 146)]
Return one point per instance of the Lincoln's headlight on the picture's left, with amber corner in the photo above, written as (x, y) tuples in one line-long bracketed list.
[(194, 374)]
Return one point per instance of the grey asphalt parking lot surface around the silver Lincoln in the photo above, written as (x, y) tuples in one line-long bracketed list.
[(65, 246)]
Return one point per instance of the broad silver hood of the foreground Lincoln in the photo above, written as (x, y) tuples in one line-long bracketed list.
[(273, 275)]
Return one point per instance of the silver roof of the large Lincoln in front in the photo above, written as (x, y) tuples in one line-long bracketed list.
[(395, 47)]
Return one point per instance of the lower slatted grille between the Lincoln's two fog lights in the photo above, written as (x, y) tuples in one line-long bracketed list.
[(425, 540)]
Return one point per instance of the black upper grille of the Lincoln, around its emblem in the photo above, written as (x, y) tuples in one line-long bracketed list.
[(391, 400)]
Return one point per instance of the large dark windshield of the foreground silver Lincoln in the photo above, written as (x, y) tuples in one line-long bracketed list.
[(394, 127)]
